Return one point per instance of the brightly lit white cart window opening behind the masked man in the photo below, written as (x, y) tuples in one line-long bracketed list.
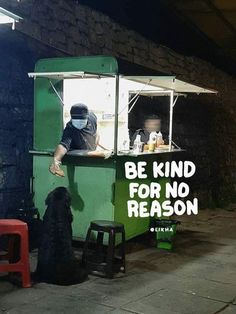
[(99, 96)]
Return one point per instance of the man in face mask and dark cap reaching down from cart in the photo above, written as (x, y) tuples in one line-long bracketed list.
[(79, 133)]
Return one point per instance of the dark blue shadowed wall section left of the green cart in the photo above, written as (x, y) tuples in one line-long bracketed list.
[(18, 55)]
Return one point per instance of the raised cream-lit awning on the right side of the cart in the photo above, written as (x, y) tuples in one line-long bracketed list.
[(170, 83)]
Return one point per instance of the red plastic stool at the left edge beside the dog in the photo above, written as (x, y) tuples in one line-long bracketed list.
[(17, 227)]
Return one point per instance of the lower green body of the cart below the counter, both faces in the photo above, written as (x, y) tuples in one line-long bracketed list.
[(98, 188)]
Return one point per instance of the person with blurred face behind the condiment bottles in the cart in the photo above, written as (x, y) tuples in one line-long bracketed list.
[(152, 123)]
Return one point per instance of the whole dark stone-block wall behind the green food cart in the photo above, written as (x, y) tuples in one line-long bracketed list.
[(206, 125)]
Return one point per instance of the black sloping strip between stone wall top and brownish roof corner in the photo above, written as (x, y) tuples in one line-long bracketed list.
[(159, 22)]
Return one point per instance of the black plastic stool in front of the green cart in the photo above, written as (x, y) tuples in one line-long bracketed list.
[(108, 262)]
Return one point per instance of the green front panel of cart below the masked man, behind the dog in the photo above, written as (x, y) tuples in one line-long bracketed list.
[(90, 183)]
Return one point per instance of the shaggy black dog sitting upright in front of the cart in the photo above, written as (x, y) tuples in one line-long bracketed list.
[(56, 260)]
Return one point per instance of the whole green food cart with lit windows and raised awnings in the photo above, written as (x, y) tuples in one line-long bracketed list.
[(98, 186)]
